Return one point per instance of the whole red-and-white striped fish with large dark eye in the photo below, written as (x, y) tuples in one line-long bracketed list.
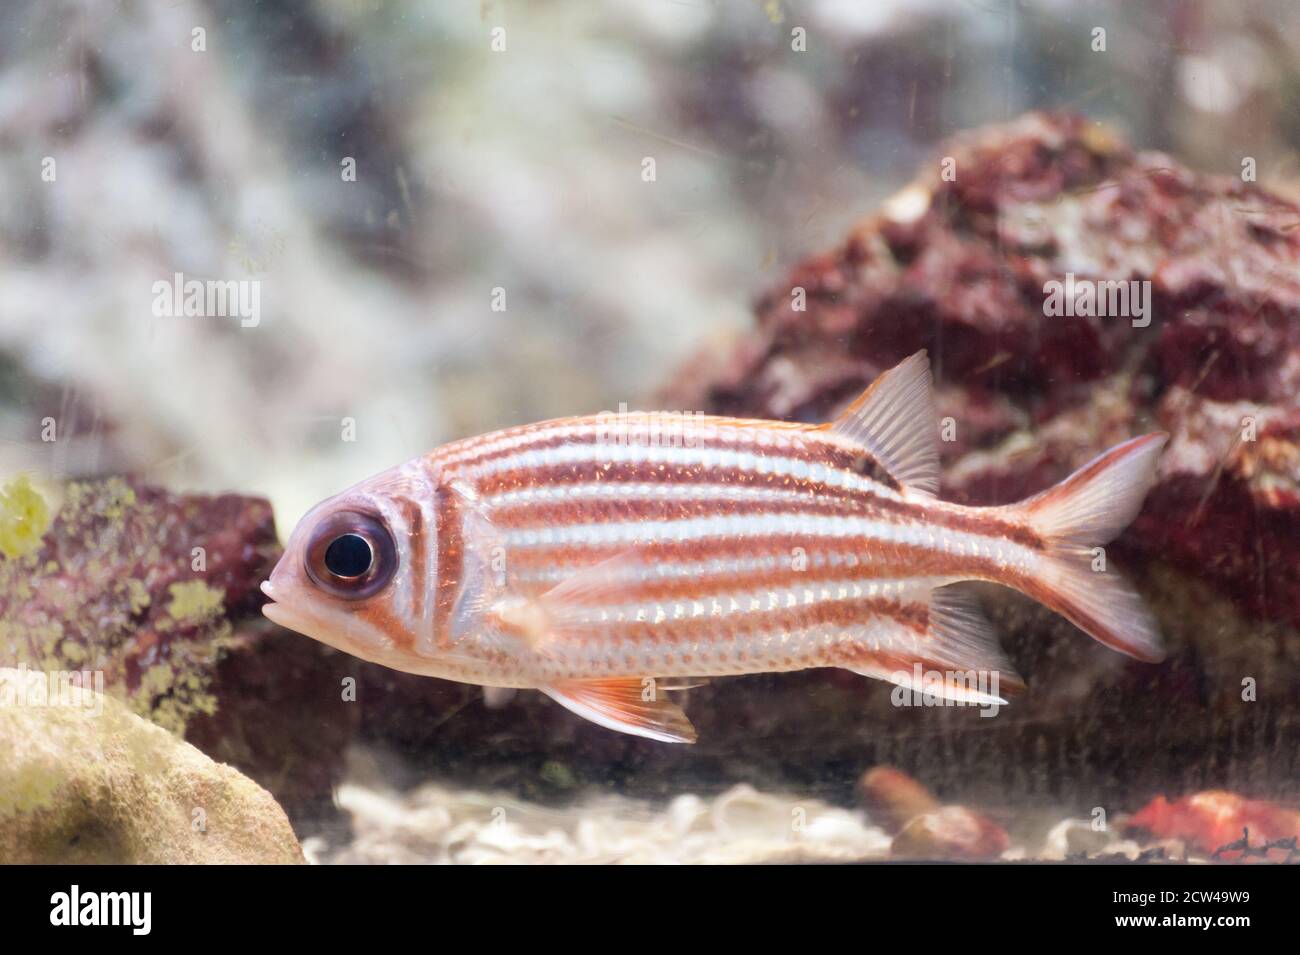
[(612, 559)]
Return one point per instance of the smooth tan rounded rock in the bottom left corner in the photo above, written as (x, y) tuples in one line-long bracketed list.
[(85, 780)]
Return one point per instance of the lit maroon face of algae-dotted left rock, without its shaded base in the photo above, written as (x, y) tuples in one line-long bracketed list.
[(140, 584)]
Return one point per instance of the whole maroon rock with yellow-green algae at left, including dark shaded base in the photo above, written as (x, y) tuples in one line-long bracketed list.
[(161, 593)]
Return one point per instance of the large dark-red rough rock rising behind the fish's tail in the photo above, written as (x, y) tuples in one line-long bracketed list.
[(961, 268)]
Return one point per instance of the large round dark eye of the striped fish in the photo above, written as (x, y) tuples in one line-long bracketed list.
[(352, 555)]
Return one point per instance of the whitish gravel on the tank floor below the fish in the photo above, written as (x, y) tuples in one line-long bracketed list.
[(436, 823)]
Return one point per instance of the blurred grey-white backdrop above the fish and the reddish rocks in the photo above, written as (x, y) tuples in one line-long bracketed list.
[(213, 140)]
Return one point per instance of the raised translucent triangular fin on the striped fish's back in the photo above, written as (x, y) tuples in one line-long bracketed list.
[(895, 422)]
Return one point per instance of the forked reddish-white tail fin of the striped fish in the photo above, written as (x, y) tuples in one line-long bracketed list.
[(1078, 515)]
